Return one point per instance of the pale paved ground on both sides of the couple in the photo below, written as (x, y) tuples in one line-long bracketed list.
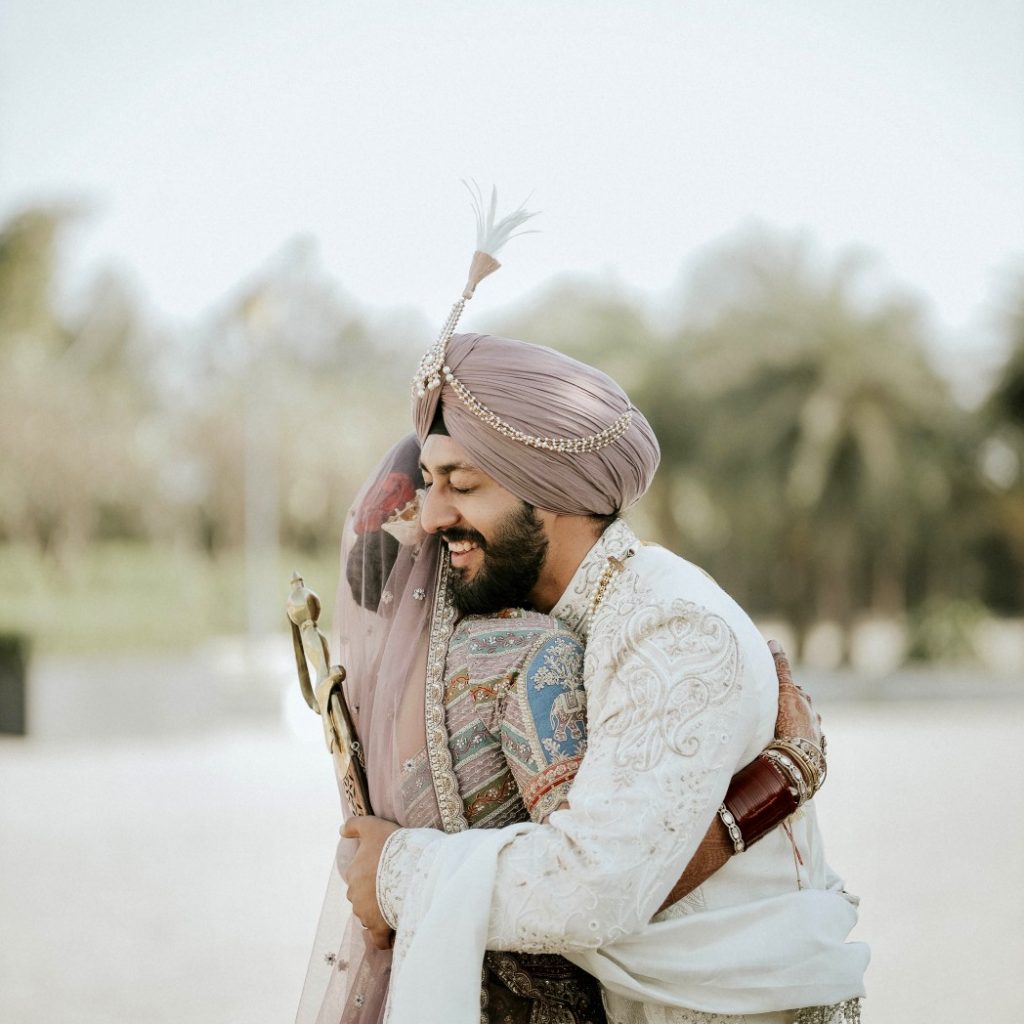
[(178, 878)]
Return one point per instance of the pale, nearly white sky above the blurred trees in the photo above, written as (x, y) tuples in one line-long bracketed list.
[(207, 134)]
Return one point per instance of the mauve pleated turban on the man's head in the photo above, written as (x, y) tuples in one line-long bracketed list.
[(547, 395)]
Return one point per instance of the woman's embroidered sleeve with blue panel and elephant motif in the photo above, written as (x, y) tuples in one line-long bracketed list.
[(544, 723)]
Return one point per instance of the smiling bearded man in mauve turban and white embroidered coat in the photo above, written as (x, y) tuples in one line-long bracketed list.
[(530, 457)]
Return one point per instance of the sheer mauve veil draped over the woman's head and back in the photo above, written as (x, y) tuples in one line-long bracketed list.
[(392, 589)]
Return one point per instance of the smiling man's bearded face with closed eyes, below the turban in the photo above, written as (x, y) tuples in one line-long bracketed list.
[(497, 542)]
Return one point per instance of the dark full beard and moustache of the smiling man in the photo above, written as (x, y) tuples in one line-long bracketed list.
[(510, 568)]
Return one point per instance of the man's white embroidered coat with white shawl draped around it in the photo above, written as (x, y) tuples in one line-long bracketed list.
[(681, 694)]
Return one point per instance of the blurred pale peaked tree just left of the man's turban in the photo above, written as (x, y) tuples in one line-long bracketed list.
[(293, 383)]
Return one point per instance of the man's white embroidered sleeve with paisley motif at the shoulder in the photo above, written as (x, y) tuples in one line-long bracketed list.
[(668, 726)]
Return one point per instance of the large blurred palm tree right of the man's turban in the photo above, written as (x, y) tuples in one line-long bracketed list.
[(821, 435)]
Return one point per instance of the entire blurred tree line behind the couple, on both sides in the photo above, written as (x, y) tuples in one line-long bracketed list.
[(814, 461)]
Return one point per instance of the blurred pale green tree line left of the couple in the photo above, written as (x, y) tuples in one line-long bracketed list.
[(115, 429)]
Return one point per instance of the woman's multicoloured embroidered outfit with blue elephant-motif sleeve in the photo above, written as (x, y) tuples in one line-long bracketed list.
[(515, 713)]
